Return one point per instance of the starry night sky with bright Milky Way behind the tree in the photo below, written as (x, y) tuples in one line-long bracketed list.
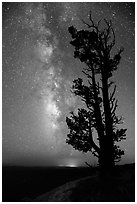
[(38, 68)]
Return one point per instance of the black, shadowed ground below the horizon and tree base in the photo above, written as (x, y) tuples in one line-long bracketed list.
[(29, 183)]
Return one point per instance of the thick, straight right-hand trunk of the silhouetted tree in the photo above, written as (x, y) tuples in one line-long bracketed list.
[(107, 146)]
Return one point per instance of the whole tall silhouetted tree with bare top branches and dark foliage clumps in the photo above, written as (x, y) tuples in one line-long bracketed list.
[(94, 47)]
